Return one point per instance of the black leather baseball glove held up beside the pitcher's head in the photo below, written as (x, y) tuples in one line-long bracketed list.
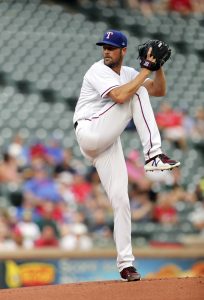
[(160, 51)]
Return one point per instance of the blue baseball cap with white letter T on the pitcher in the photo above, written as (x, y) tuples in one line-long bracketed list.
[(113, 38)]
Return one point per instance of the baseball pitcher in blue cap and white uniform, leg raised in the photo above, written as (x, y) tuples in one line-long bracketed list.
[(111, 95)]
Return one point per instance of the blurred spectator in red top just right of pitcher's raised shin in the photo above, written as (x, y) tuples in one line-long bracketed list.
[(170, 122)]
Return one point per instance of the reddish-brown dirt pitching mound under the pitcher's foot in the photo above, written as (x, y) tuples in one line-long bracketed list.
[(159, 289)]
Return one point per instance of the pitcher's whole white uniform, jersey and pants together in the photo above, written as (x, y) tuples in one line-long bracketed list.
[(100, 124)]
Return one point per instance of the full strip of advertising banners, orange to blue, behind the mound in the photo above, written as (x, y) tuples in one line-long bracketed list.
[(24, 273)]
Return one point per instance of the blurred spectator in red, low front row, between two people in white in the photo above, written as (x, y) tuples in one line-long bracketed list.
[(48, 238)]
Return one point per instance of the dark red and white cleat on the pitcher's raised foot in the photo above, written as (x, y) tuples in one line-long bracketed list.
[(160, 162)]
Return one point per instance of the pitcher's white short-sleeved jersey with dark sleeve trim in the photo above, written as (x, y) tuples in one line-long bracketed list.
[(98, 81)]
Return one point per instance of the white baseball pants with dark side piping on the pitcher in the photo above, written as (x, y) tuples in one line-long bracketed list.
[(99, 140)]
